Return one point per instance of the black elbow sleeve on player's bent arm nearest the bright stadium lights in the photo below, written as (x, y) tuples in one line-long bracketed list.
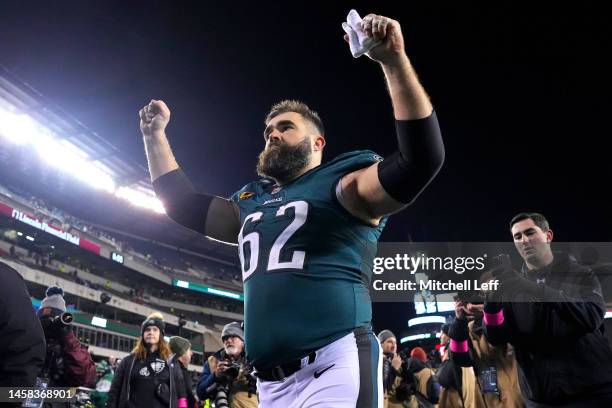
[(182, 202)]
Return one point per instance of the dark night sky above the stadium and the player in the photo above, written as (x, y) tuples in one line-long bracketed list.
[(521, 93)]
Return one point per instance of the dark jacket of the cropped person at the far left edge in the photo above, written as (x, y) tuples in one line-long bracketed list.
[(22, 342)]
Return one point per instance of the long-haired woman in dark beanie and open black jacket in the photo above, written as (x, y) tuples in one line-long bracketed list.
[(148, 377)]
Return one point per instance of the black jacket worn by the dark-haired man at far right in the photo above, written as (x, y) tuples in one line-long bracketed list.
[(558, 339)]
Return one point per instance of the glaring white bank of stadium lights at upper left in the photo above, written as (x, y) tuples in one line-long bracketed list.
[(61, 141)]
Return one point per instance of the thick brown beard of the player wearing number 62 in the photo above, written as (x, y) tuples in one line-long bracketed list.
[(282, 162)]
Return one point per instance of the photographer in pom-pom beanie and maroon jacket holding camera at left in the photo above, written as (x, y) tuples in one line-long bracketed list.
[(68, 363)]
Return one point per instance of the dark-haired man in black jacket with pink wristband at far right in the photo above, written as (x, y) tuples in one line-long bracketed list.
[(552, 313)]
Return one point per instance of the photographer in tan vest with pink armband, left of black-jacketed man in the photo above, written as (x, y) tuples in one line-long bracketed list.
[(495, 367)]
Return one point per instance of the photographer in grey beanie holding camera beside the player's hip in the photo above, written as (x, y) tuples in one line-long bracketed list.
[(227, 379)]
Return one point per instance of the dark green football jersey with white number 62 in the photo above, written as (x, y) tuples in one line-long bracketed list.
[(306, 263)]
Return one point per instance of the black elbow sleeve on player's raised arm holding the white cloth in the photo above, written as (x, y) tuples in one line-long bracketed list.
[(406, 173)]
